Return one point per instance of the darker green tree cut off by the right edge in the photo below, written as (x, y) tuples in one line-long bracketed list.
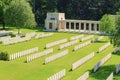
[(115, 38)]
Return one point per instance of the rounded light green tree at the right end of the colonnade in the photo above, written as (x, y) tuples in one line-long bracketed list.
[(107, 23)]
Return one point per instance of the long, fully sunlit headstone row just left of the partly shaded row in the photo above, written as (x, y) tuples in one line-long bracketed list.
[(82, 61)]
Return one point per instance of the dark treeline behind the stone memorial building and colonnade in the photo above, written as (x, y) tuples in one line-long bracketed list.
[(74, 9)]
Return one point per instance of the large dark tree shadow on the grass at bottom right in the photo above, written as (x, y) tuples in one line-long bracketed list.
[(103, 72)]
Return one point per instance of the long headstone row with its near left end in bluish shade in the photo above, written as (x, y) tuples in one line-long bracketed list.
[(100, 63)]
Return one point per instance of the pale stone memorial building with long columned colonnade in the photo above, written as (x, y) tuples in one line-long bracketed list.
[(57, 22)]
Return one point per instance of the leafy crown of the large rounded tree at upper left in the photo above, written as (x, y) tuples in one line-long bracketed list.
[(19, 13)]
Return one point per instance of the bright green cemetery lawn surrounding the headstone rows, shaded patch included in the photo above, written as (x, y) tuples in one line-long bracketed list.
[(36, 70)]
